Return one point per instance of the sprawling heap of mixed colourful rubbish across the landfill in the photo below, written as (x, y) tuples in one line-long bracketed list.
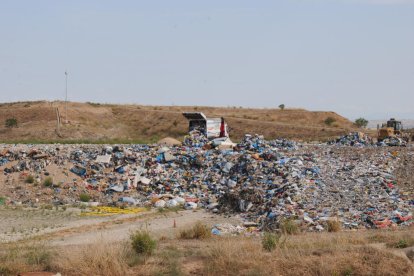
[(264, 182)]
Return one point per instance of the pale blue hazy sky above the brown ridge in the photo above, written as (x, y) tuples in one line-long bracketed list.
[(350, 56)]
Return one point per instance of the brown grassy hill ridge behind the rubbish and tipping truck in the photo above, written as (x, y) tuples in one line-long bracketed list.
[(91, 122)]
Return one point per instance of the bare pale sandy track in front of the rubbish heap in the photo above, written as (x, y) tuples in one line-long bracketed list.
[(67, 227)]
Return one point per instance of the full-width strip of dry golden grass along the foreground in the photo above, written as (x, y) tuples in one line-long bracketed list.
[(341, 253)]
